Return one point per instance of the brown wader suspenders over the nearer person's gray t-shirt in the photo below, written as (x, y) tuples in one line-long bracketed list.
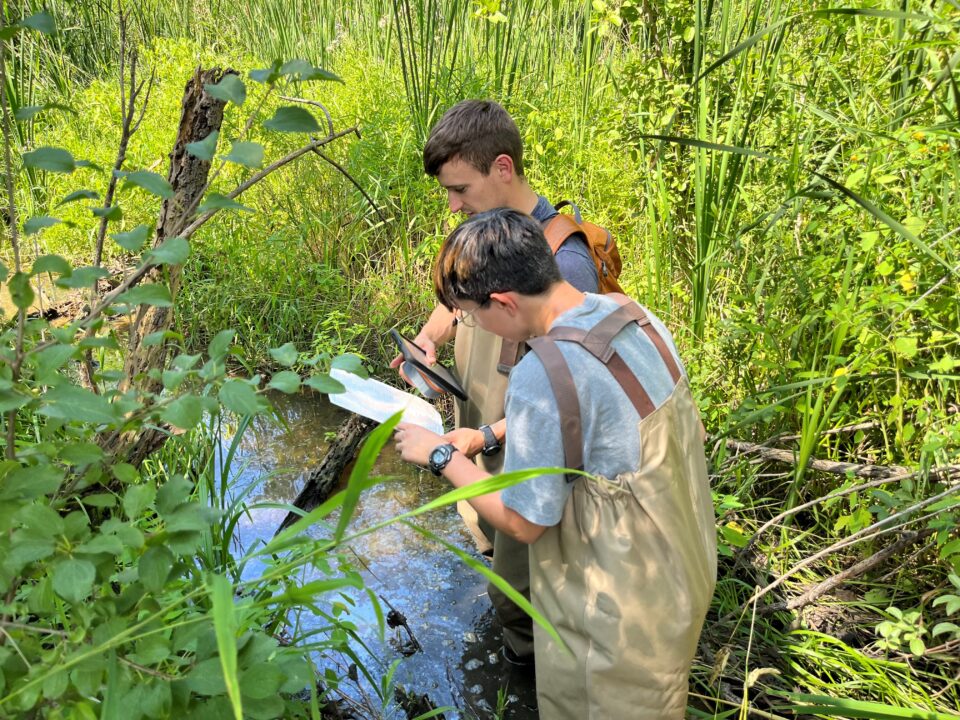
[(598, 341)]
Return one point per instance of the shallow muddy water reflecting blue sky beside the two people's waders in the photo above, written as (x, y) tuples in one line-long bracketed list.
[(444, 602)]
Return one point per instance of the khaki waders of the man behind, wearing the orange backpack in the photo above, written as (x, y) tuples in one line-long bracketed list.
[(477, 353)]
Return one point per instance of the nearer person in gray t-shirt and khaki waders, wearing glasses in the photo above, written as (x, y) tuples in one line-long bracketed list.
[(623, 561)]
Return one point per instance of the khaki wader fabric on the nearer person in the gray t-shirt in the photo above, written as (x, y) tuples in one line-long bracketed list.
[(626, 578)]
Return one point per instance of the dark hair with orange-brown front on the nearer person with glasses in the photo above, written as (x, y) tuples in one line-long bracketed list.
[(500, 250)]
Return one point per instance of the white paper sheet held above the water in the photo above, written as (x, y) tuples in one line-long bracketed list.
[(379, 401)]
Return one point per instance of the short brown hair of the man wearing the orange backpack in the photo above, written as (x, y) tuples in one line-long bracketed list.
[(476, 131)]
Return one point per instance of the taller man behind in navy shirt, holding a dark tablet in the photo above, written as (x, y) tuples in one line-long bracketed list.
[(476, 153)]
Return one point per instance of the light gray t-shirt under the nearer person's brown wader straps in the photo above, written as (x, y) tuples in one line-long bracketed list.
[(610, 437)]
